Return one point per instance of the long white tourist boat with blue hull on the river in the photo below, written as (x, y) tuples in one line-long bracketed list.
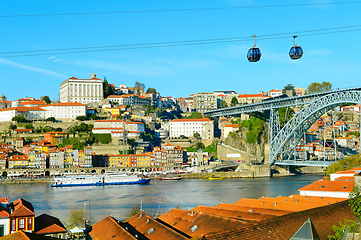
[(97, 180)]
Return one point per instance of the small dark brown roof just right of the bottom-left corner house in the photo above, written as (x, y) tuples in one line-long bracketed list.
[(46, 224)]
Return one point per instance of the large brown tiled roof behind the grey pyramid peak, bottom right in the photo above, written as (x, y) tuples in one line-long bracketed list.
[(284, 227)]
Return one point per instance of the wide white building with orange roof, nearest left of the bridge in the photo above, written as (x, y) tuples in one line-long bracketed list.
[(188, 127)]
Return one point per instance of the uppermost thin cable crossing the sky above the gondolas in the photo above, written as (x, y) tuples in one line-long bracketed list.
[(180, 10)]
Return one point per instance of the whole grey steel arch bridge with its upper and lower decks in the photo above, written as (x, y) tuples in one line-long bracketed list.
[(284, 140)]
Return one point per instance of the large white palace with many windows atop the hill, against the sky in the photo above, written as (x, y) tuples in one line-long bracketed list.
[(82, 90)]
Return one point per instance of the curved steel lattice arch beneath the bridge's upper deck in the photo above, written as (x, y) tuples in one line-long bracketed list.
[(291, 134)]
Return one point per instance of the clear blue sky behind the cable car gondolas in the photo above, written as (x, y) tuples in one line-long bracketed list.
[(182, 70)]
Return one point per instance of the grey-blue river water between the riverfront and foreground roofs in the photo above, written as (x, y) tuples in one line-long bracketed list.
[(101, 201)]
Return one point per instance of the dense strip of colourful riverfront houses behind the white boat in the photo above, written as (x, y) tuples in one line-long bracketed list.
[(45, 154)]
